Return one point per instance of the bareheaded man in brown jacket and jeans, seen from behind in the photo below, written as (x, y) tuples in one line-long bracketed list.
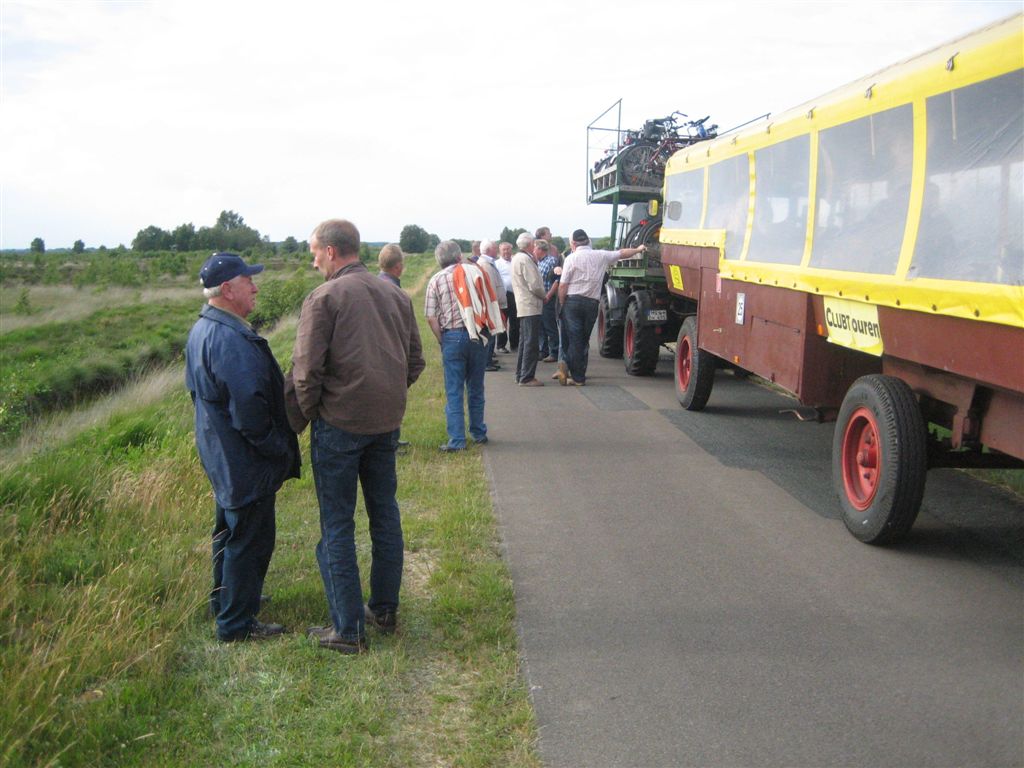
[(357, 352)]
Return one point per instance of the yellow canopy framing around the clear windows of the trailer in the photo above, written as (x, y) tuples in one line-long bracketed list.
[(996, 51)]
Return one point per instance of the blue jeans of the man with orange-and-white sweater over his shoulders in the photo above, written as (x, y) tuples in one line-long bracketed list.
[(464, 363)]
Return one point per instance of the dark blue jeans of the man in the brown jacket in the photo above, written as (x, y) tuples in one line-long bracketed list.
[(340, 461)]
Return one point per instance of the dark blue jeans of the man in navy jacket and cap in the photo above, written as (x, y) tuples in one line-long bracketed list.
[(243, 544)]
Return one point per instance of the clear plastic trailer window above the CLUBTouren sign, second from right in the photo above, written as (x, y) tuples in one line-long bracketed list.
[(864, 191)]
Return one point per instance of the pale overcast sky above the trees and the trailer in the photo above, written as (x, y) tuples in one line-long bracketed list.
[(460, 117)]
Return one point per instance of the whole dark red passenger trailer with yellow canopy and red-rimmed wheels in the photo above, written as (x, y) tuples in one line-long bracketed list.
[(865, 252)]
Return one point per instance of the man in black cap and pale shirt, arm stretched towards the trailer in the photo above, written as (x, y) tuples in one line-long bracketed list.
[(579, 292)]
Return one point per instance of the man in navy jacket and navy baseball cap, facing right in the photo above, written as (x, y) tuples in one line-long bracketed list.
[(245, 443)]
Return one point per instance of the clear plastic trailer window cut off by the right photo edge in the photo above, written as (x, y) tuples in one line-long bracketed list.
[(973, 209)]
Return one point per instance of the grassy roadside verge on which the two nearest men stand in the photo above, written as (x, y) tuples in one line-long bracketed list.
[(107, 655)]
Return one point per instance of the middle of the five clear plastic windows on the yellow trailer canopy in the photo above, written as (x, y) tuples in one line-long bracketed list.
[(782, 179)]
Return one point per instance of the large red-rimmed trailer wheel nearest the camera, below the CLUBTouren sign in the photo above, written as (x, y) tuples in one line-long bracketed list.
[(880, 459)]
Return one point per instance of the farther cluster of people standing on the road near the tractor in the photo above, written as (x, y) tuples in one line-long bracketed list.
[(545, 308)]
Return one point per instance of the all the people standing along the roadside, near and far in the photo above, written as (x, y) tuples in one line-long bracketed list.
[(358, 351)]
